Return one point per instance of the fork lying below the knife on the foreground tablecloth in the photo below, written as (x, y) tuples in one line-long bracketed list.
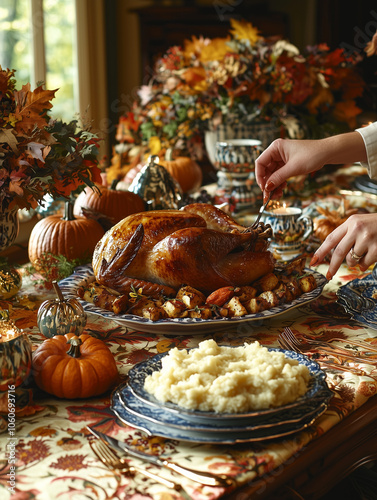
[(113, 461)]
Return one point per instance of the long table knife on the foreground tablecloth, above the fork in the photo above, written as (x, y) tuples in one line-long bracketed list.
[(205, 478)]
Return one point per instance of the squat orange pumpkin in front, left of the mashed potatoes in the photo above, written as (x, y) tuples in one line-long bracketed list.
[(74, 367)]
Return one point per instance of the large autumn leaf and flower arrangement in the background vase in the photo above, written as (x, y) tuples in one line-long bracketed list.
[(238, 79)]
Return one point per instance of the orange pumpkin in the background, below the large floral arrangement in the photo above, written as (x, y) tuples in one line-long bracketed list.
[(184, 170)]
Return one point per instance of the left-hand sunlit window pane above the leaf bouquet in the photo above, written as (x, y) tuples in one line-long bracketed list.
[(15, 38)]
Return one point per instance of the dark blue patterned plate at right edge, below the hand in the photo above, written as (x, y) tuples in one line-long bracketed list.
[(359, 298)]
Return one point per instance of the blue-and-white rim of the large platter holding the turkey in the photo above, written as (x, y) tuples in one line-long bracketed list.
[(180, 326)]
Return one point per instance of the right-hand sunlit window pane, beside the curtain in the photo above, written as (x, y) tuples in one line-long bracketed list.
[(60, 41)]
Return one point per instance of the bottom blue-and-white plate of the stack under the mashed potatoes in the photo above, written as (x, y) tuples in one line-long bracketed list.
[(152, 428)]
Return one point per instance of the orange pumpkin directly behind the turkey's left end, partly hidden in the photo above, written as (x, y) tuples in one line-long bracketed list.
[(111, 202)]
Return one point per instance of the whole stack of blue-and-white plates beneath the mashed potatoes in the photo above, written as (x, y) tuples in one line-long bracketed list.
[(137, 408)]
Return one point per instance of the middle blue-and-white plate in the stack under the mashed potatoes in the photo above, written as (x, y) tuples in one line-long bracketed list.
[(159, 415)]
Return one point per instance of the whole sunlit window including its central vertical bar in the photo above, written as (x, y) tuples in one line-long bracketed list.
[(38, 41)]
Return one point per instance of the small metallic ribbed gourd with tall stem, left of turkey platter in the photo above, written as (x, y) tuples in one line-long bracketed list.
[(61, 316)]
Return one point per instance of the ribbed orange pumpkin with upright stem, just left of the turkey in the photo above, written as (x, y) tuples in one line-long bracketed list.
[(73, 237)]
